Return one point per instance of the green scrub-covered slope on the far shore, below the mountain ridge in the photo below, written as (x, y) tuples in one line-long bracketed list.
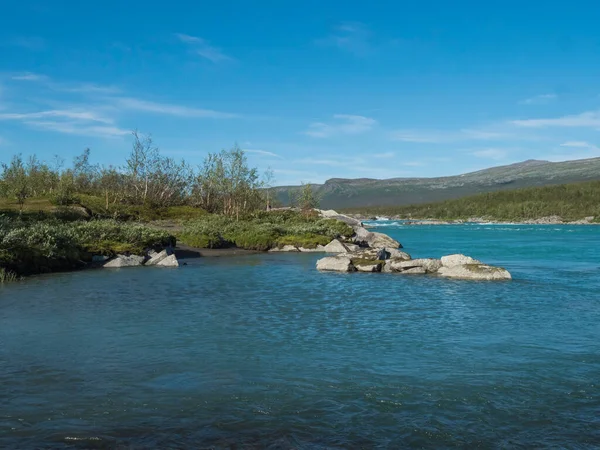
[(568, 201)]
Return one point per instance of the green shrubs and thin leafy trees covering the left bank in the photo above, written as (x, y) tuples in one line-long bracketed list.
[(56, 218)]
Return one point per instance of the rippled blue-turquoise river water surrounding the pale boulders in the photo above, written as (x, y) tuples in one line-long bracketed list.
[(262, 351)]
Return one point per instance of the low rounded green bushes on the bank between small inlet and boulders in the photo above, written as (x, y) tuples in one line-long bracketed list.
[(263, 230)]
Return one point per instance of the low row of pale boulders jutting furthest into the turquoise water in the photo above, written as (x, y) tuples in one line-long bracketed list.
[(451, 266)]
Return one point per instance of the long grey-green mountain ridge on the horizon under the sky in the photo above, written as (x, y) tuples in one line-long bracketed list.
[(366, 192)]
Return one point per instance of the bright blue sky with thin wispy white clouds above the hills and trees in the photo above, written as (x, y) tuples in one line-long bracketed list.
[(313, 89)]
